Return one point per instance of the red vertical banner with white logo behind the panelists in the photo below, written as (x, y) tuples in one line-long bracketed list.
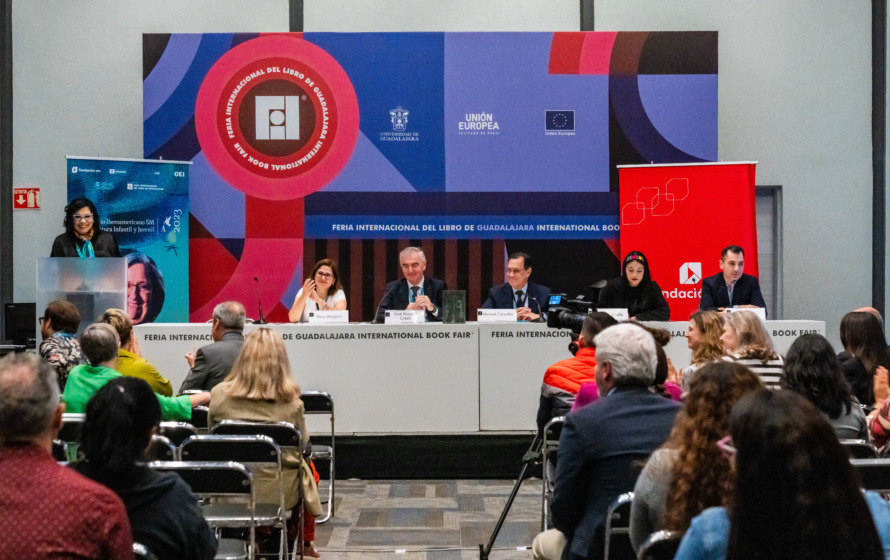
[(682, 216)]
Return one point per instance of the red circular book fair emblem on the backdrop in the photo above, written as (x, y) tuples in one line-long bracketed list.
[(277, 117)]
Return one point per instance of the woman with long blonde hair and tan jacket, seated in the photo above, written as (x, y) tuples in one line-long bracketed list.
[(260, 388)]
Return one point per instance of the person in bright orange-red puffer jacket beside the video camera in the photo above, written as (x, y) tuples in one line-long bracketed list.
[(564, 379)]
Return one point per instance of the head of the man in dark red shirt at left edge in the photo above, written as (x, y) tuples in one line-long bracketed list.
[(29, 398)]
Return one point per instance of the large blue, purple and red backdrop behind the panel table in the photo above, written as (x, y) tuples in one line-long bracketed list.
[(472, 145)]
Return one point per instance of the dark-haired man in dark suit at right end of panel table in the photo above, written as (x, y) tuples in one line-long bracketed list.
[(731, 287)]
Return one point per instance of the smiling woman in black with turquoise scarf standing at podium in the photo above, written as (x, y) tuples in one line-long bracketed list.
[(83, 237)]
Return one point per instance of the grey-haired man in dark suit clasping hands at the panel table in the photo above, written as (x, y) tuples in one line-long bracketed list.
[(415, 291)]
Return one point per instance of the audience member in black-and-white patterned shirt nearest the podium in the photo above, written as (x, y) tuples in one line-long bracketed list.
[(60, 348)]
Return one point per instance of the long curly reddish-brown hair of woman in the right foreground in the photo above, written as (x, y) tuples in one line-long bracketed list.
[(702, 477)]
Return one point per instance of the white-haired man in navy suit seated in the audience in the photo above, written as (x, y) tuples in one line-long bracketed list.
[(602, 443)]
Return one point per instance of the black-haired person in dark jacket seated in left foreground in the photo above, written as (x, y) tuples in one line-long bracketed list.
[(164, 514)]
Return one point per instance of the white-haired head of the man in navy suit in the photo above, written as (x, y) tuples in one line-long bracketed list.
[(631, 352)]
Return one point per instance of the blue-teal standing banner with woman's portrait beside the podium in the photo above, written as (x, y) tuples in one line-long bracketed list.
[(145, 204)]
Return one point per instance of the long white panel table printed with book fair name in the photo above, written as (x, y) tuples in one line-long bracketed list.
[(428, 378)]
